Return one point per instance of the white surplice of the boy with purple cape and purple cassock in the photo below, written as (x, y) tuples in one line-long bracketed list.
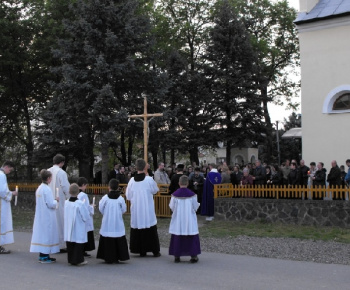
[(184, 219)]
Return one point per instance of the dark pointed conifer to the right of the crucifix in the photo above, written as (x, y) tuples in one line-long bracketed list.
[(232, 70)]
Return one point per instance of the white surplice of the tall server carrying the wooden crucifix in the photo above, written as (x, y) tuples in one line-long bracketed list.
[(140, 194)]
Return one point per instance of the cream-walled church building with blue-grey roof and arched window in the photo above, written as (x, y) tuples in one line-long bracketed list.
[(324, 35)]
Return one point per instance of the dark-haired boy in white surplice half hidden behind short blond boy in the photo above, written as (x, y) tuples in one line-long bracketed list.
[(90, 244)]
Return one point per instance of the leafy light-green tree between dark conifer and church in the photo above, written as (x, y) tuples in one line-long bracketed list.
[(275, 38)]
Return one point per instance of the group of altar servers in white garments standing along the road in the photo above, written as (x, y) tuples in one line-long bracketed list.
[(63, 221)]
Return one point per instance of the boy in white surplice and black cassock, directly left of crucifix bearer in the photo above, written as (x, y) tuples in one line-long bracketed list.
[(113, 246)]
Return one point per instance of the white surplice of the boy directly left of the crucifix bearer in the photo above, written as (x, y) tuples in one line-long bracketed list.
[(112, 221)]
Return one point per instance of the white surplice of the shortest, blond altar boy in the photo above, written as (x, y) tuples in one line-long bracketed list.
[(75, 217)]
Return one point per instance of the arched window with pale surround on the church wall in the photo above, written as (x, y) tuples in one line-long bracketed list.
[(337, 101)]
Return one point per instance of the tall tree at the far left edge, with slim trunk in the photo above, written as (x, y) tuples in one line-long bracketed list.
[(22, 76)]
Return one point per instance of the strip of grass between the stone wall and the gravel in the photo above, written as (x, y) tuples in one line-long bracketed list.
[(23, 221)]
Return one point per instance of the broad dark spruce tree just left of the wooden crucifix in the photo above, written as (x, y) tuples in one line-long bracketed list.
[(105, 67)]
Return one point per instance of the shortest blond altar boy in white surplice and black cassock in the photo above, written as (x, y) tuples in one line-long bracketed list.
[(75, 217)]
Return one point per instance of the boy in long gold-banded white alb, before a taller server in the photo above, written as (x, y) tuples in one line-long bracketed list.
[(45, 234)]
